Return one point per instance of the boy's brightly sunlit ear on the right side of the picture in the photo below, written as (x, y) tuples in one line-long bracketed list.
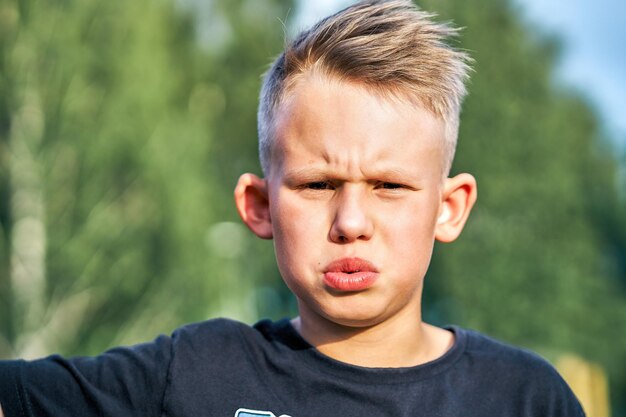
[(459, 196)]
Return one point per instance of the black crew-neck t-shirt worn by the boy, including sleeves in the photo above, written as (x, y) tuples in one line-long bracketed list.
[(225, 368)]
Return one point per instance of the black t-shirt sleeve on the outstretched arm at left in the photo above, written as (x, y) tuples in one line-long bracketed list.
[(125, 381)]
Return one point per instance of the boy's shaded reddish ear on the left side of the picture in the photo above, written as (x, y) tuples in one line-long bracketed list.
[(253, 206)]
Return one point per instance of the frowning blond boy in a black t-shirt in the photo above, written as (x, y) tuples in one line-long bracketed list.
[(358, 121)]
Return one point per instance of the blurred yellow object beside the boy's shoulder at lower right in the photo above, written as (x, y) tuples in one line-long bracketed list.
[(589, 383)]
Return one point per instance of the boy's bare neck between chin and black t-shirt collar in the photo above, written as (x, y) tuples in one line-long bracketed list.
[(390, 344)]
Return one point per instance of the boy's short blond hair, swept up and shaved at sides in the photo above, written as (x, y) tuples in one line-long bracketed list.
[(391, 47)]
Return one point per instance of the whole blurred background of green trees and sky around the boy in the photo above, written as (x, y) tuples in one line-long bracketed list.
[(125, 125)]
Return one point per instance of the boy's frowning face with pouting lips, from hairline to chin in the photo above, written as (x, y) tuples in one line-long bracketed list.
[(353, 202)]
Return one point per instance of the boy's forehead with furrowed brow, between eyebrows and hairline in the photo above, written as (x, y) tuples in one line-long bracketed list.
[(346, 125)]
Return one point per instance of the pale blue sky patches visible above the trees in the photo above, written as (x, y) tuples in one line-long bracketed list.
[(593, 59)]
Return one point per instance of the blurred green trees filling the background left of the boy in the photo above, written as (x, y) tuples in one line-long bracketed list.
[(112, 135)]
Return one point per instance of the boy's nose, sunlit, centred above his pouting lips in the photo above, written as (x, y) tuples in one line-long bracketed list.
[(352, 219)]
